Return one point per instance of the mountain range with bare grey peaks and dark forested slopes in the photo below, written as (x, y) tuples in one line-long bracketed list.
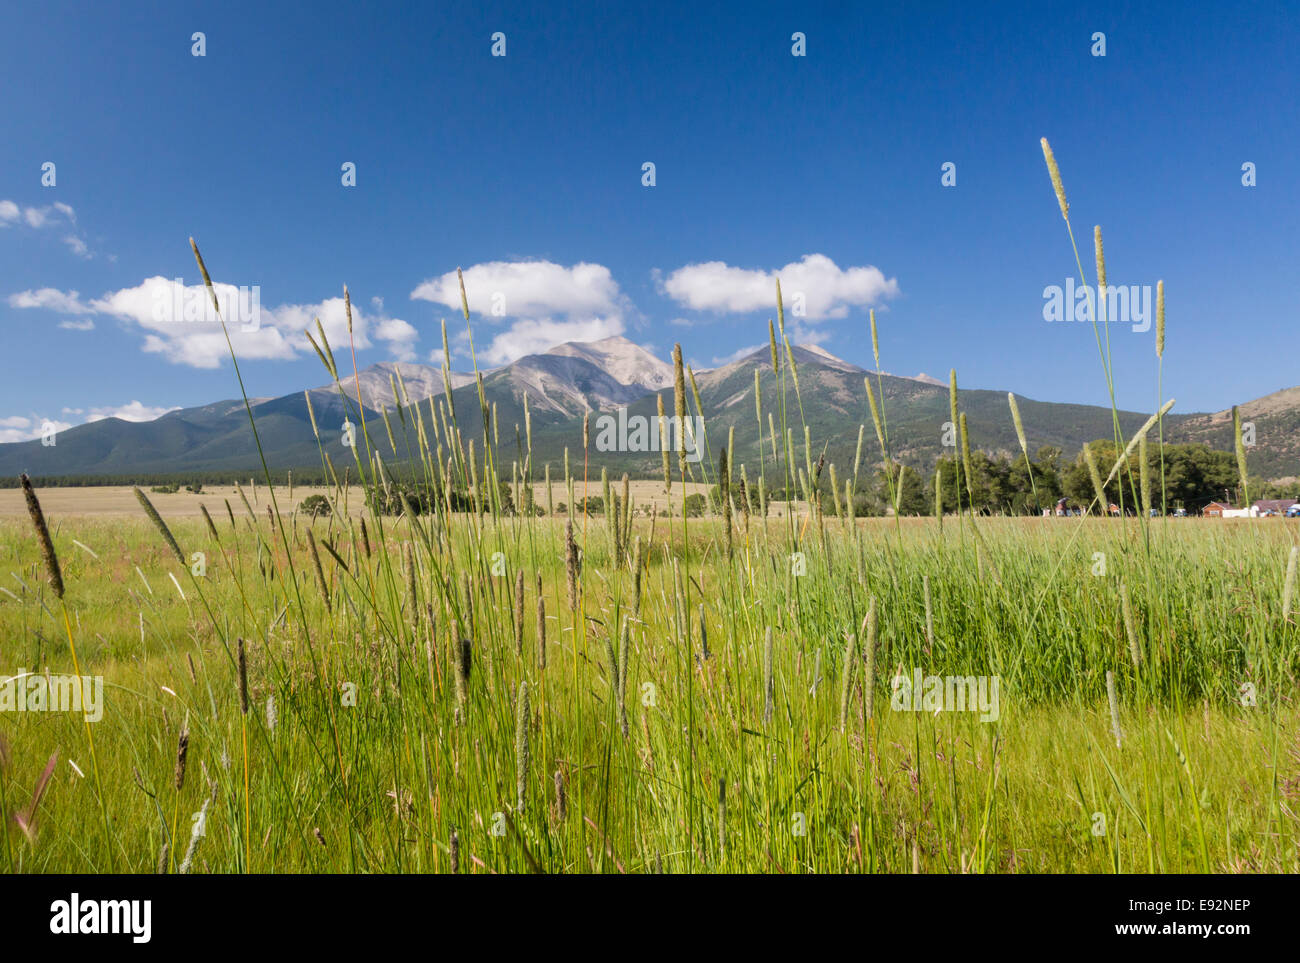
[(575, 379)]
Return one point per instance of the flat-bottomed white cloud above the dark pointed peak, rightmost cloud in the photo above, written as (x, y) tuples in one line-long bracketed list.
[(827, 290)]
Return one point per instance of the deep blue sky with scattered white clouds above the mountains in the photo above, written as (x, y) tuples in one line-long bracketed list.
[(527, 171)]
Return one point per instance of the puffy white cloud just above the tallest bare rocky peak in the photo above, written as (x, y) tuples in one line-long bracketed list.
[(543, 303)]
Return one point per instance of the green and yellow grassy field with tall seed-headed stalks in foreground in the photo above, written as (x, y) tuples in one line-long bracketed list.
[(707, 777)]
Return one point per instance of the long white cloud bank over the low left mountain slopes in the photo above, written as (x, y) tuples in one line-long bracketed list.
[(180, 324)]
